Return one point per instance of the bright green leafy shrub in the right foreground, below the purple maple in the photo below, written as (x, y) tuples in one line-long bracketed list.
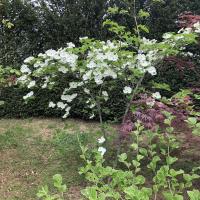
[(151, 161)]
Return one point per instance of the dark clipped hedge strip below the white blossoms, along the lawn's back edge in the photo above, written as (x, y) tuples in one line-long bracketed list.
[(15, 106)]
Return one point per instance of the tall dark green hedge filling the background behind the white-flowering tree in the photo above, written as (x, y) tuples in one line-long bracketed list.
[(52, 25)]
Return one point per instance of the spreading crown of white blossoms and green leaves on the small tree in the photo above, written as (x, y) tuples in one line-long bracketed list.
[(96, 62)]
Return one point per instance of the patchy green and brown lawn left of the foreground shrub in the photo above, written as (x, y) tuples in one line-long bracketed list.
[(33, 150)]
